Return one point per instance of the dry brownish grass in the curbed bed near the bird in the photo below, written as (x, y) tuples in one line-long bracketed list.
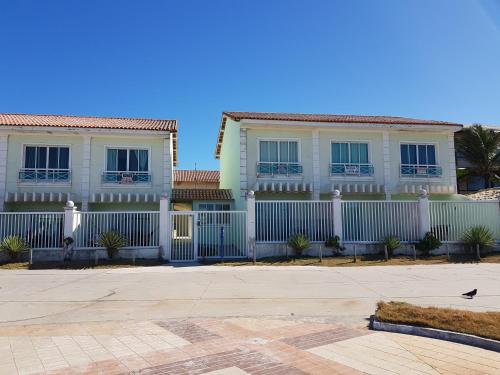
[(484, 324)]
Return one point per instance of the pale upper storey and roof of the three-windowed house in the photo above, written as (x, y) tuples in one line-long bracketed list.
[(308, 156)]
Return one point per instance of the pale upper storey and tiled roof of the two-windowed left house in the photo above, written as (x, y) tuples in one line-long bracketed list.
[(99, 163)]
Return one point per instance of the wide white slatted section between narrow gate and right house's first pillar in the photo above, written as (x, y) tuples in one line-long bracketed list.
[(222, 233)]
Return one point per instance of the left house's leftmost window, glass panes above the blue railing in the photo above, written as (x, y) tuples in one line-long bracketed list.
[(46, 157)]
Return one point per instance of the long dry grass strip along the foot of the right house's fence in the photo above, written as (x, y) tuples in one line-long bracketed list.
[(362, 260)]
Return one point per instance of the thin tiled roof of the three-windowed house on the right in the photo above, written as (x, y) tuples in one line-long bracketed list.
[(322, 118)]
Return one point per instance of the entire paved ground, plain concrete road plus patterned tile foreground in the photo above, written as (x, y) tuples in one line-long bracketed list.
[(224, 321)]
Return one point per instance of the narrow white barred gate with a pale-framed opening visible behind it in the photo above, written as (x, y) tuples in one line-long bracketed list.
[(183, 236)]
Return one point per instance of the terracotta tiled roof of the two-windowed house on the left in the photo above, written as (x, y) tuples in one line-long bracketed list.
[(9, 119)]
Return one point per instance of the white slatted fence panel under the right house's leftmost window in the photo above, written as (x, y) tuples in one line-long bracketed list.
[(276, 221)]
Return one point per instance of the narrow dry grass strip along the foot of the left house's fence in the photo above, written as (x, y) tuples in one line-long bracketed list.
[(79, 265)]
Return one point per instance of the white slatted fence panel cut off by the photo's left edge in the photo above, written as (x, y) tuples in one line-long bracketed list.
[(42, 230)]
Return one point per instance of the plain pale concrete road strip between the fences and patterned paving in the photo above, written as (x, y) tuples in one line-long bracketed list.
[(346, 295)]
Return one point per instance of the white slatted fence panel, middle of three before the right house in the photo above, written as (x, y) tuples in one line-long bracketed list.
[(371, 221)]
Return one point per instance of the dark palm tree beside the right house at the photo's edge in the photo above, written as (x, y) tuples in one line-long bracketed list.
[(481, 148)]
